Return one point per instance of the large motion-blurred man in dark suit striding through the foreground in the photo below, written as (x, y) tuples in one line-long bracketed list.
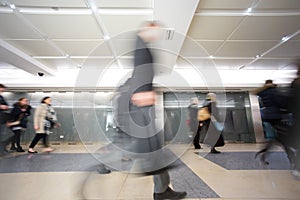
[(141, 108)]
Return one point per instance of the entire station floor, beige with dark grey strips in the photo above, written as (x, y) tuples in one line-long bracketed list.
[(69, 173)]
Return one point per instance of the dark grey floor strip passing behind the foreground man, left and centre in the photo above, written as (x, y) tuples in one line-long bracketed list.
[(182, 178)]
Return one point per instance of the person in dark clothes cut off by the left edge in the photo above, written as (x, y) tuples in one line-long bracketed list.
[(3, 119)]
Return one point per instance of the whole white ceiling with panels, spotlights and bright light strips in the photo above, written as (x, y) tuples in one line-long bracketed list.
[(63, 37)]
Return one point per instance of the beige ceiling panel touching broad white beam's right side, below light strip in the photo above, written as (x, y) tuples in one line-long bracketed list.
[(212, 28)]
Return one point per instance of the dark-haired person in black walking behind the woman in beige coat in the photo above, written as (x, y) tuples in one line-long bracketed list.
[(21, 110)]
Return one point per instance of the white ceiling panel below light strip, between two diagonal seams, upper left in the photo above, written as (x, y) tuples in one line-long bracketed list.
[(66, 26)]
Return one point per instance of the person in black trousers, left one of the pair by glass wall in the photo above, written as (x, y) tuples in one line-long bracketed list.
[(193, 122)]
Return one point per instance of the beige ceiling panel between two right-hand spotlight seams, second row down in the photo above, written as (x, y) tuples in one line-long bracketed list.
[(244, 49)]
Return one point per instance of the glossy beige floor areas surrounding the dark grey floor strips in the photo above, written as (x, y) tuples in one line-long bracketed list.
[(249, 184)]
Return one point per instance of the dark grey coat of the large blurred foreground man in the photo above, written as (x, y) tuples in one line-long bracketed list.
[(143, 125)]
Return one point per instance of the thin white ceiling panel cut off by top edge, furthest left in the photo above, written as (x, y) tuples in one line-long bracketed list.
[(49, 3)]
